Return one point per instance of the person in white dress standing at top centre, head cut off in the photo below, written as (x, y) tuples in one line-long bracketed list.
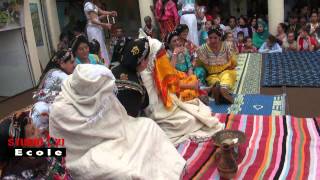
[(189, 18)]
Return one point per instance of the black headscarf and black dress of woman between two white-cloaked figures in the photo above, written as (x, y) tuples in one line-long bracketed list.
[(131, 93)]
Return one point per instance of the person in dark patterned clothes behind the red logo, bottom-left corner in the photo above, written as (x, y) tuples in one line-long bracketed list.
[(19, 125)]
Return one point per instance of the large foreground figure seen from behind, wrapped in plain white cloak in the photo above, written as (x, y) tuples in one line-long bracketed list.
[(101, 140)]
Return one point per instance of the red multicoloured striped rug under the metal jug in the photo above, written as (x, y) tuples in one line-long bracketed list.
[(276, 147)]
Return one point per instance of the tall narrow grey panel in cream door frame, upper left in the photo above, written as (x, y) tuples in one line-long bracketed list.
[(40, 32)]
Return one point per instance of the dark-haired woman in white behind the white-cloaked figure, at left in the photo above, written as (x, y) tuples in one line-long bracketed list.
[(57, 70)]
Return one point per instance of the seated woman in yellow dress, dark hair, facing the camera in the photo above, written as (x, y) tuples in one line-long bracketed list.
[(218, 62)]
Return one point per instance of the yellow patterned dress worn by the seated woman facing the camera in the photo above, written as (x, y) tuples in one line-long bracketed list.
[(217, 66)]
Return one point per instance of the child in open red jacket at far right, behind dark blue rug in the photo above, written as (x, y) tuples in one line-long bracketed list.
[(305, 41)]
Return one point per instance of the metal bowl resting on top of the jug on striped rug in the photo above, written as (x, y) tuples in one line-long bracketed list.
[(230, 137)]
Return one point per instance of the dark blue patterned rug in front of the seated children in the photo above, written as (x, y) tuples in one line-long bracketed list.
[(299, 69)]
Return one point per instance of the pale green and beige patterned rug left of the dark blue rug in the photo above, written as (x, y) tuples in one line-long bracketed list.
[(248, 74)]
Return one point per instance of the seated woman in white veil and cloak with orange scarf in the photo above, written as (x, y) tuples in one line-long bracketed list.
[(180, 120)]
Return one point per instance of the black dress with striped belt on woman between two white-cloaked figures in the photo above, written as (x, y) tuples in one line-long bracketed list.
[(131, 93)]
